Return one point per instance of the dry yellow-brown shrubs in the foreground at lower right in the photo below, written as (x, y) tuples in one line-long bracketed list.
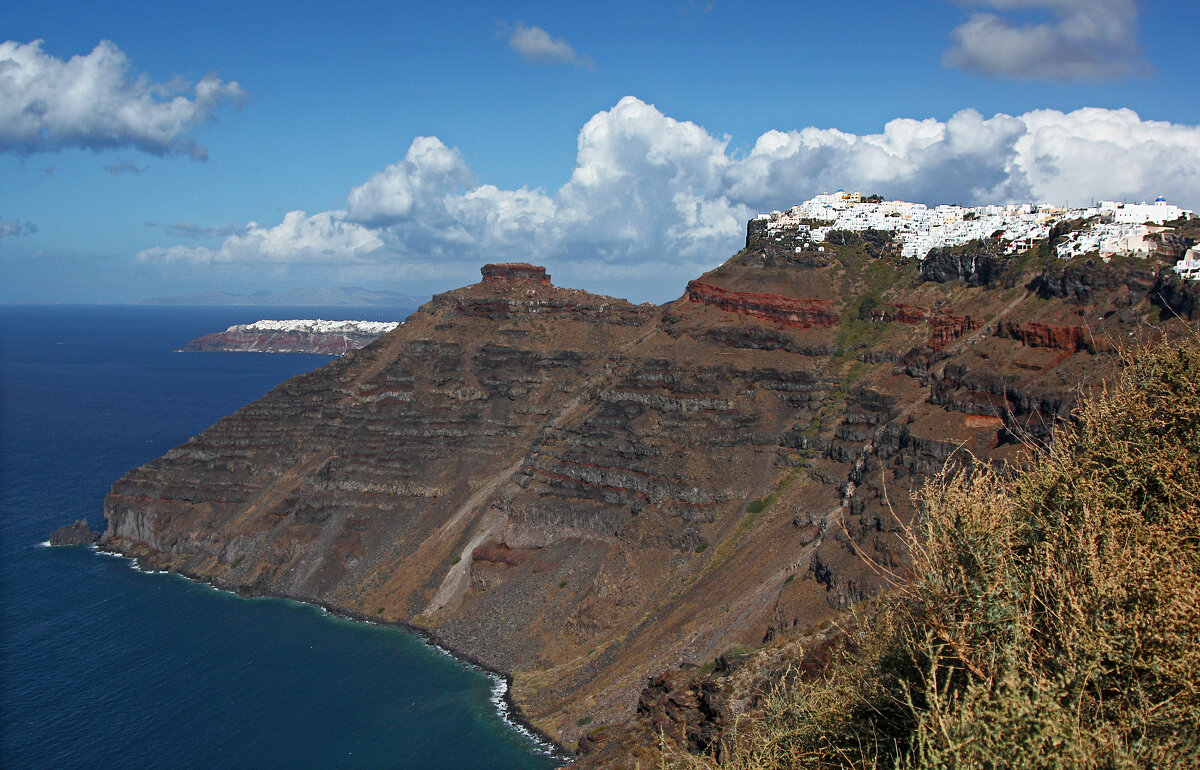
[(1053, 618)]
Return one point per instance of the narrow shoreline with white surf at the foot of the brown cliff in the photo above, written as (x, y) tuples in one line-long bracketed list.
[(506, 708)]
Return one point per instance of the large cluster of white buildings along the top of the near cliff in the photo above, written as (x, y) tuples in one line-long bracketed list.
[(1112, 228)]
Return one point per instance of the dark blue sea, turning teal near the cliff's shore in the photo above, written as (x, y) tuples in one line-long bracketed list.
[(105, 666)]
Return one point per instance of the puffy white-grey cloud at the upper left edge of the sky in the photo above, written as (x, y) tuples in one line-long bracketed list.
[(97, 103)]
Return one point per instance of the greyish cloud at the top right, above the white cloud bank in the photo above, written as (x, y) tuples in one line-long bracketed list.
[(1088, 40)]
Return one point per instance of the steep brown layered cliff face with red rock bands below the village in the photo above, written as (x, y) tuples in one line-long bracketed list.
[(587, 494)]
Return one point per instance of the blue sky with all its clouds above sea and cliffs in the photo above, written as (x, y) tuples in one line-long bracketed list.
[(163, 149)]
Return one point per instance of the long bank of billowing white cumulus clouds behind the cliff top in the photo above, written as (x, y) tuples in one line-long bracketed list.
[(653, 196)]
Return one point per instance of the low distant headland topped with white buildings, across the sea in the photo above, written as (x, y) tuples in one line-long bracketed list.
[(292, 336)]
